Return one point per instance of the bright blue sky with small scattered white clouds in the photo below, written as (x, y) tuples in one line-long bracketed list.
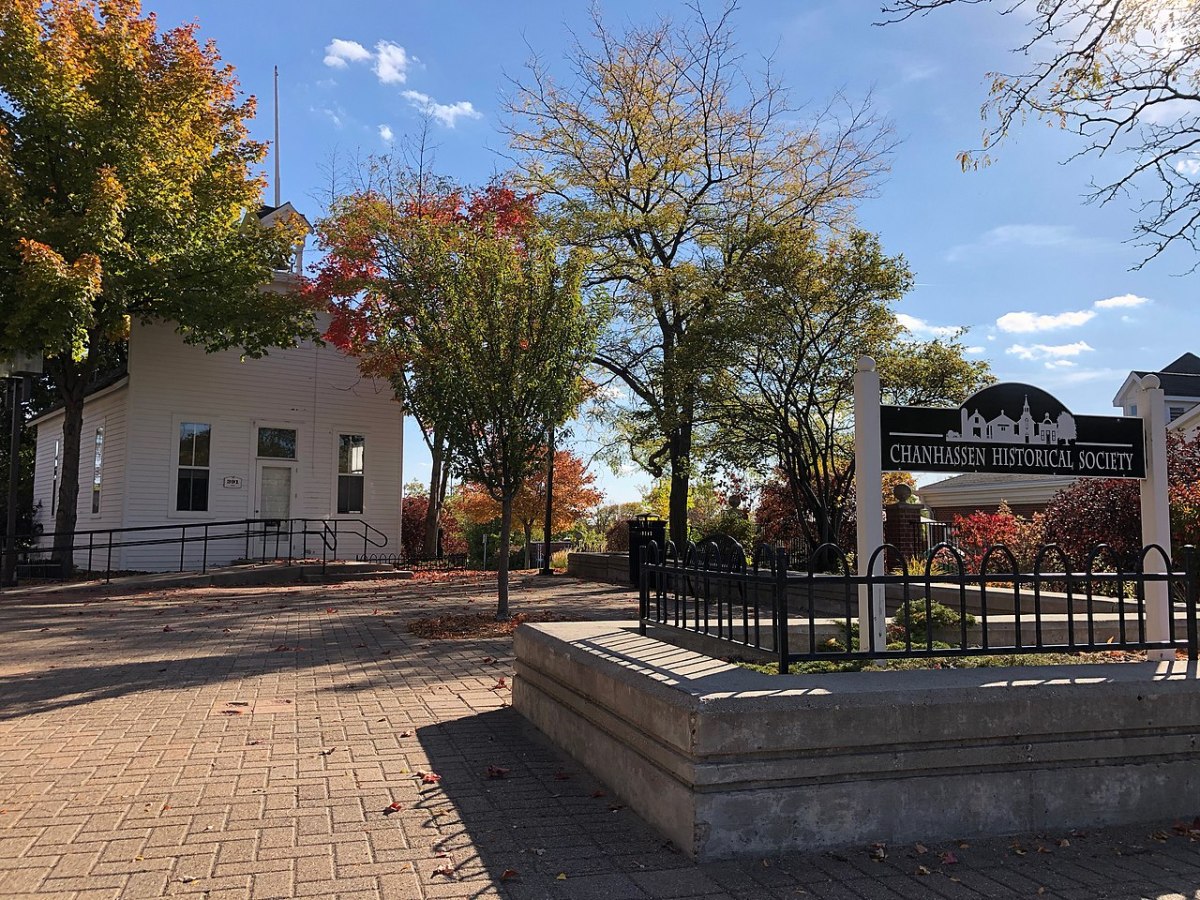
[(1042, 280)]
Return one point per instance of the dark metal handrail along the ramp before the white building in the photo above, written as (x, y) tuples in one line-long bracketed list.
[(329, 532)]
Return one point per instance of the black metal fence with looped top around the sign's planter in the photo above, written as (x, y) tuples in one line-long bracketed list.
[(764, 608)]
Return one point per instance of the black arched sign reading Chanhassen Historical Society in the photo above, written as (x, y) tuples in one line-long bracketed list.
[(1012, 429)]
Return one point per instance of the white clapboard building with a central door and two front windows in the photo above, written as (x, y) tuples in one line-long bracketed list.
[(191, 439)]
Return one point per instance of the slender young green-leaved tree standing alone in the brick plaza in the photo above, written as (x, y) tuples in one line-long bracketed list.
[(500, 346)]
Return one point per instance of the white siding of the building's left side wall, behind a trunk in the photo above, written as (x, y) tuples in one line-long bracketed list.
[(106, 412)]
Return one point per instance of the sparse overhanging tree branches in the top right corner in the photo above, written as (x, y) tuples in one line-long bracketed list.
[(1124, 75)]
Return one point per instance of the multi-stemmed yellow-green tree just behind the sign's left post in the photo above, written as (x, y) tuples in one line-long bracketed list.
[(818, 307)]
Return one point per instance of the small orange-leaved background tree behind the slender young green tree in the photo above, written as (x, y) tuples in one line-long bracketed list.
[(575, 497)]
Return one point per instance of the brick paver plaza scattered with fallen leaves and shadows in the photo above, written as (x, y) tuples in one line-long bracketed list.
[(247, 742)]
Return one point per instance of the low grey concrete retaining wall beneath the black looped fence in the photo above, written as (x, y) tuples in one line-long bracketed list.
[(729, 763)]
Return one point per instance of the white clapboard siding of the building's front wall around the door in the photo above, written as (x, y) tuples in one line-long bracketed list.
[(314, 391)]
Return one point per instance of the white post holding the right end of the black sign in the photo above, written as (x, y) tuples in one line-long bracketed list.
[(1156, 513)]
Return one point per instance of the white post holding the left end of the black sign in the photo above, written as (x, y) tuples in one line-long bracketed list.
[(869, 500)]
